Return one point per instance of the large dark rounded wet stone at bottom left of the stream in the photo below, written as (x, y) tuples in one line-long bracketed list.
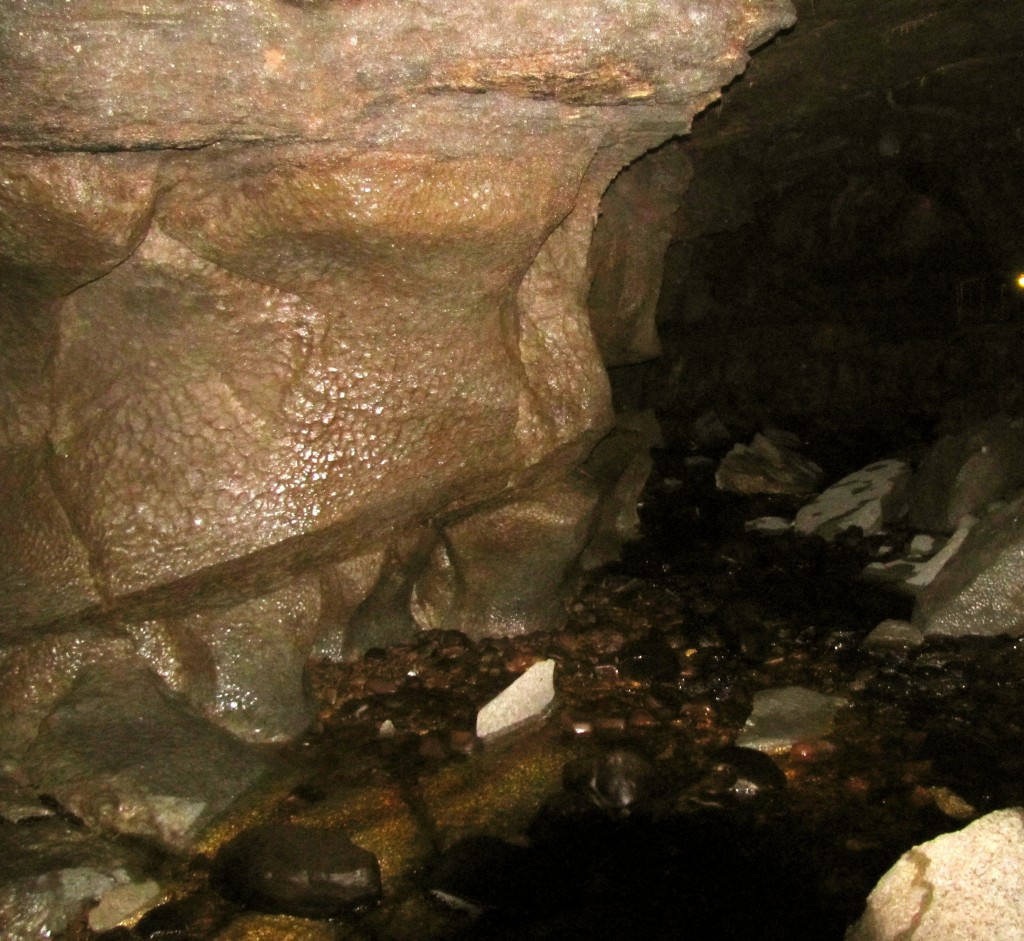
[(285, 869)]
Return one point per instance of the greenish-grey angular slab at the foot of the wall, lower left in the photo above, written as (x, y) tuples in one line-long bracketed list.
[(124, 754)]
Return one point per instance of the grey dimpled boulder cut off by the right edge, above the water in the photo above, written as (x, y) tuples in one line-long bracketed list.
[(982, 589)]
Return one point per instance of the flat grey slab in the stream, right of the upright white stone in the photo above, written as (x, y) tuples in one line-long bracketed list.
[(783, 717)]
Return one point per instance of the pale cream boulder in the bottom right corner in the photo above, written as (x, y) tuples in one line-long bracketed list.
[(965, 886)]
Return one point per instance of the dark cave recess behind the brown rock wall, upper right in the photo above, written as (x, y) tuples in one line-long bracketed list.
[(846, 255)]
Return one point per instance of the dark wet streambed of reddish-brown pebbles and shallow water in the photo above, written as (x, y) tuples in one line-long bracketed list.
[(932, 738)]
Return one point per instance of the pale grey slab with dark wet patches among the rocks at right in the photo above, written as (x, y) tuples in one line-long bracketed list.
[(868, 499)]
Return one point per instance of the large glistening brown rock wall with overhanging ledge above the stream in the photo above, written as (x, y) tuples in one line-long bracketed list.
[(282, 282)]
